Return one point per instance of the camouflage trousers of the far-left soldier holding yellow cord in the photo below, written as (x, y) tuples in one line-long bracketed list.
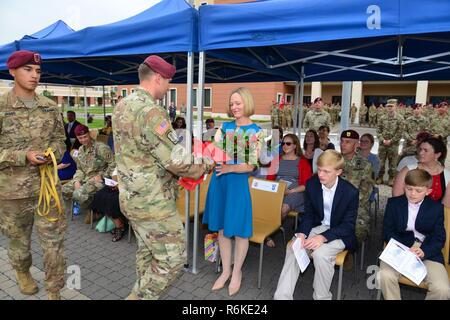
[(16, 223)]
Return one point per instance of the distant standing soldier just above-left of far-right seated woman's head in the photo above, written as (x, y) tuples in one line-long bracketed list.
[(413, 125)]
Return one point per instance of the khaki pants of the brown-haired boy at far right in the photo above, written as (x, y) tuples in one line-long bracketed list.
[(436, 280)]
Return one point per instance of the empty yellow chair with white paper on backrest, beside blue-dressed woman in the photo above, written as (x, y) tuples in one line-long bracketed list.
[(266, 206)]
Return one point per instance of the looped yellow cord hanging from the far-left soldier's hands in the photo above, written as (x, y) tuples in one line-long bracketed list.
[(48, 192)]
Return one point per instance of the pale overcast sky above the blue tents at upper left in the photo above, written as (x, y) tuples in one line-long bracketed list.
[(21, 17)]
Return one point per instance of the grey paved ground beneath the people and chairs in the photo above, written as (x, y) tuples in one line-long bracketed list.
[(107, 270)]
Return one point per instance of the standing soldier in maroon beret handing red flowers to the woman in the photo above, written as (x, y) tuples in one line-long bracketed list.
[(149, 161)]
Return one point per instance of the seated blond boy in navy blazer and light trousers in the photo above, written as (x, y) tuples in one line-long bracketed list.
[(326, 228)]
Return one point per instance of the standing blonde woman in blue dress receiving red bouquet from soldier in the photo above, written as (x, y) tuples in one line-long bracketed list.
[(228, 207)]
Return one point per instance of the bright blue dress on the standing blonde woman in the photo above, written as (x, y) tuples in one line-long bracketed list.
[(228, 202)]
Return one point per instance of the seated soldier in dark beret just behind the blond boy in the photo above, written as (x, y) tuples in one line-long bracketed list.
[(359, 172)]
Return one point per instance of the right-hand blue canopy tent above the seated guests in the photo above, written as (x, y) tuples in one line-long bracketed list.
[(333, 40)]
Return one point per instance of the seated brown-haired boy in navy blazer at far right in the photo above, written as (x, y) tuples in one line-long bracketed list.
[(418, 222)]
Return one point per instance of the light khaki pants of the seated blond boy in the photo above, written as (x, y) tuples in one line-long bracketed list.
[(324, 260)]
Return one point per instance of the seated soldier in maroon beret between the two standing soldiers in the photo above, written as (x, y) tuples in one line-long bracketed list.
[(95, 161)]
